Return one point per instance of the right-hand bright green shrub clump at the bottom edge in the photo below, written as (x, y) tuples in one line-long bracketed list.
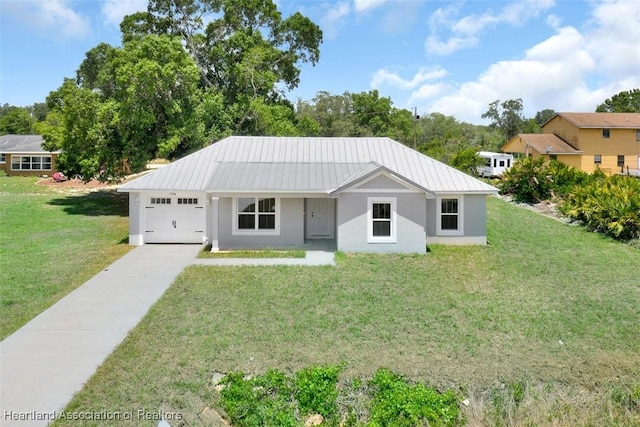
[(396, 403)]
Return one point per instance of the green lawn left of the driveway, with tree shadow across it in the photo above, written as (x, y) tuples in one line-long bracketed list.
[(51, 244)]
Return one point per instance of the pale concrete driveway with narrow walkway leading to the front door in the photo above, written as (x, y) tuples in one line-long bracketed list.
[(43, 364)]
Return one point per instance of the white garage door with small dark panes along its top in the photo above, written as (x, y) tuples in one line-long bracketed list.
[(174, 219)]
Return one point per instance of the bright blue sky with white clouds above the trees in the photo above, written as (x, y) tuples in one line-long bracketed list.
[(452, 57)]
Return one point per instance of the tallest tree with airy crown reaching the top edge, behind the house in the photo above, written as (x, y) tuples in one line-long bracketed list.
[(247, 51)]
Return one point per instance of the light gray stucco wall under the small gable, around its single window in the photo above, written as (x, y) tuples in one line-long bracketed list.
[(352, 223)]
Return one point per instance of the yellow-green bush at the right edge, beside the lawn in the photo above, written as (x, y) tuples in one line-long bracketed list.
[(610, 205)]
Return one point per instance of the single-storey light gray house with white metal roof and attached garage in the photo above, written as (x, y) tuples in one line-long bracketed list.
[(356, 194)]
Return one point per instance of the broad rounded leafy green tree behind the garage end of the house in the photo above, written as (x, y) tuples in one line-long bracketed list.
[(129, 105)]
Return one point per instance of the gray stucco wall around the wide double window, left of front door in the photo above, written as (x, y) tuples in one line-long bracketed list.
[(291, 227)]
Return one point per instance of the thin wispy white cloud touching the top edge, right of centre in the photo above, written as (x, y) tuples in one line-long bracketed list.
[(464, 32)]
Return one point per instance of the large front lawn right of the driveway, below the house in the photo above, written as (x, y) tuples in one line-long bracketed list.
[(540, 327)]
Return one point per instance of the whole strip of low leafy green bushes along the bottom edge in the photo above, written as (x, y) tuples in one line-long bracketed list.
[(275, 399)]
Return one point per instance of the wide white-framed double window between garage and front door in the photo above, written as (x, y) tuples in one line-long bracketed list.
[(256, 215)]
